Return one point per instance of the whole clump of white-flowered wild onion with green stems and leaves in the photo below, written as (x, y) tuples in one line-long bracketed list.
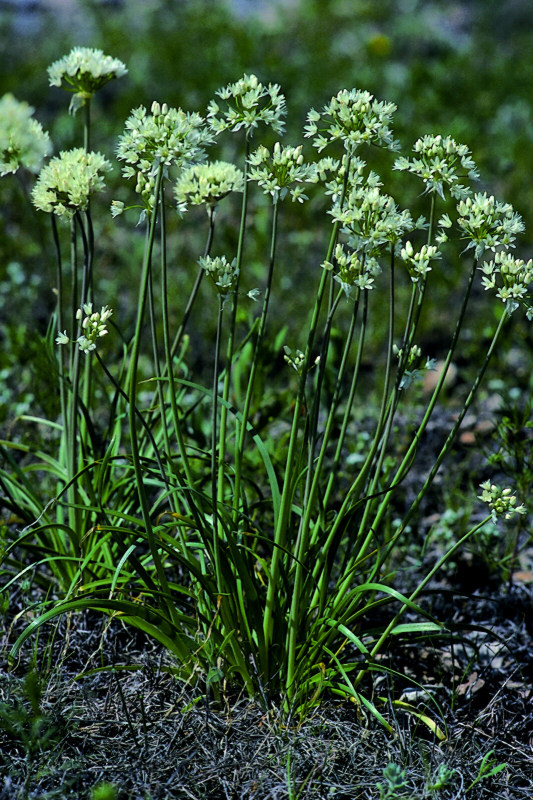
[(250, 551)]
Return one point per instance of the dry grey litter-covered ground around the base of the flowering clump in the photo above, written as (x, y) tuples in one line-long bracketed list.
[(134, 725)]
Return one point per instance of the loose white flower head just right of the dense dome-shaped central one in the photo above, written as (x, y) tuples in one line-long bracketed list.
[(277, 173)]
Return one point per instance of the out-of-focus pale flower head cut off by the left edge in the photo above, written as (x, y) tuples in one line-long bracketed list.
[(23, 142)]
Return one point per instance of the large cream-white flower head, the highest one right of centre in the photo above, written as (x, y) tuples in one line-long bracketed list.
[(352, 117)]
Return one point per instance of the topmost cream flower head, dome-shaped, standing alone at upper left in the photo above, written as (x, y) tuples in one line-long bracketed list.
[(83, 71)]
